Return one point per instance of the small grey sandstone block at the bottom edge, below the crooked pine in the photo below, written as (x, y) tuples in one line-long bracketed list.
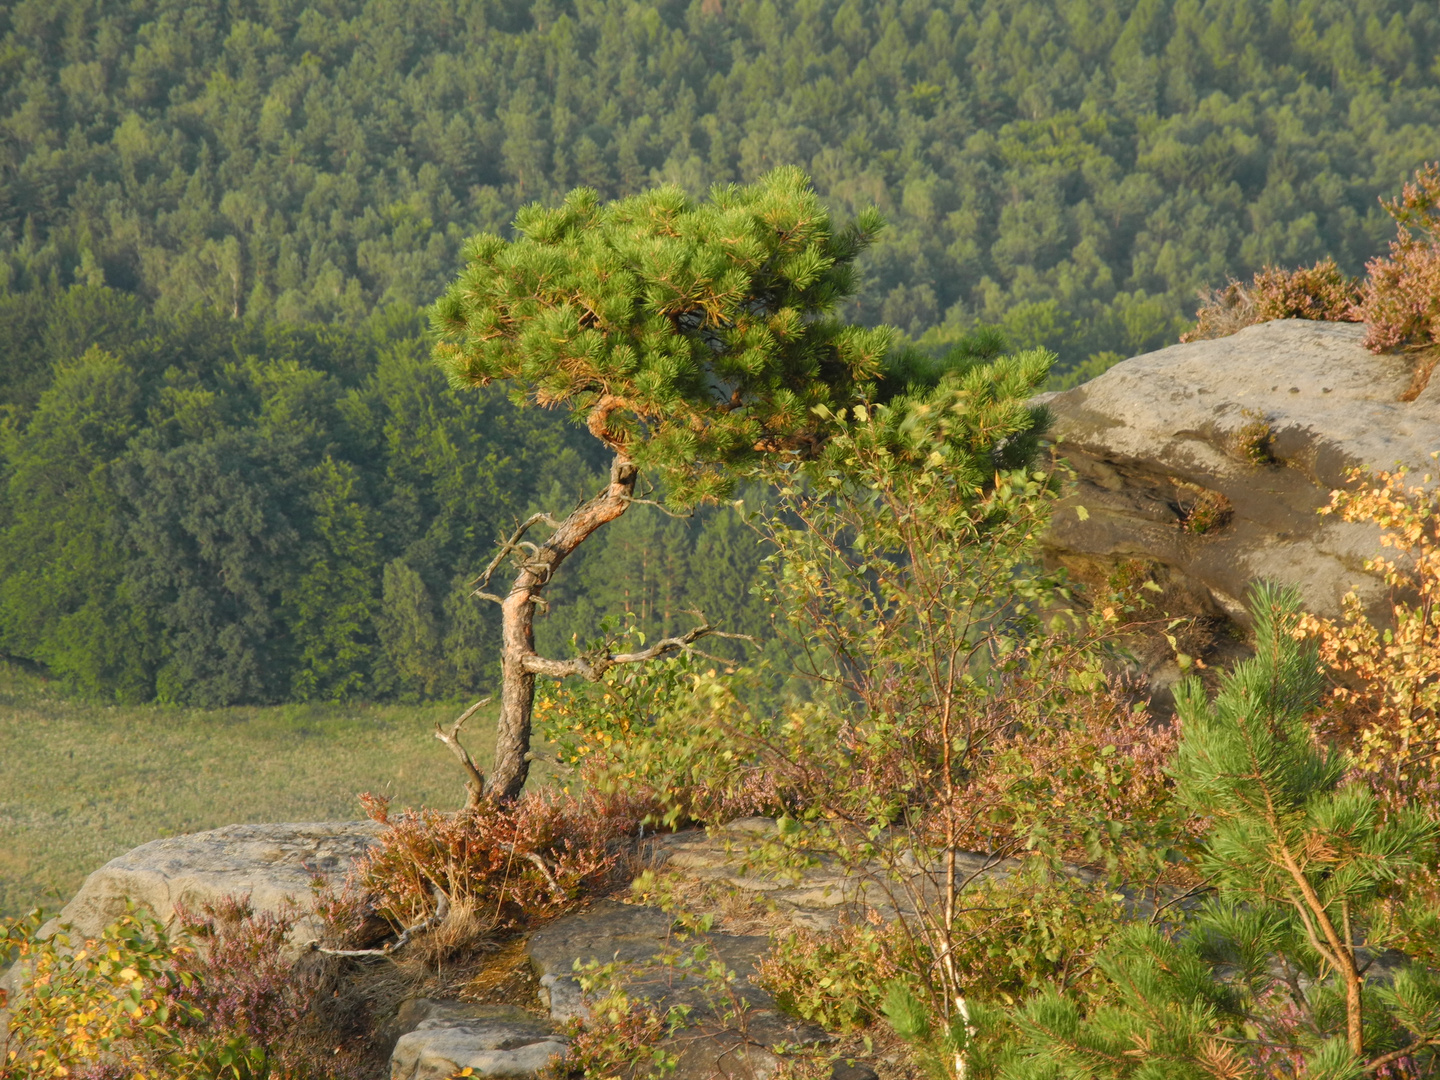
[(443, 1046)]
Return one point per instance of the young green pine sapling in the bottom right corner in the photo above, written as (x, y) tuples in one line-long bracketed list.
[(1271, 977)]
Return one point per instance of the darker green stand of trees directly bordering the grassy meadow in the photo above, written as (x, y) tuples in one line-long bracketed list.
[(214, 512)]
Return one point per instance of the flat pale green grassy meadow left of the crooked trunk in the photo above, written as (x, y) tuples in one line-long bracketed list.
[(80, 784)]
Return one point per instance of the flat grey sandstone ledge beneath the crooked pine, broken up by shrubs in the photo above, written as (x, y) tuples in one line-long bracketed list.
[(738, 1033)]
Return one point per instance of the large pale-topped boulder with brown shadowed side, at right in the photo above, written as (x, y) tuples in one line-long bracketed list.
[(1206, 464)]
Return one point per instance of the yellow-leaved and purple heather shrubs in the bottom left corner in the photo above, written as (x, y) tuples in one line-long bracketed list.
[(140, 1003)]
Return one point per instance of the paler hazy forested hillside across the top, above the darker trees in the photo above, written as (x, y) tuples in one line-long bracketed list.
[(1071, 169)]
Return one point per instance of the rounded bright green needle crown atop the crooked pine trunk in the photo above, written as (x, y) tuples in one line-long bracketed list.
[(690, 336)]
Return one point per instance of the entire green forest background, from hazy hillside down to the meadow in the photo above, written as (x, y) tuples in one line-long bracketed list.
[(231, 472)]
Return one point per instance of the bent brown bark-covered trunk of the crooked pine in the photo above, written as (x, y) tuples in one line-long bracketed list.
[(518, 657)]
